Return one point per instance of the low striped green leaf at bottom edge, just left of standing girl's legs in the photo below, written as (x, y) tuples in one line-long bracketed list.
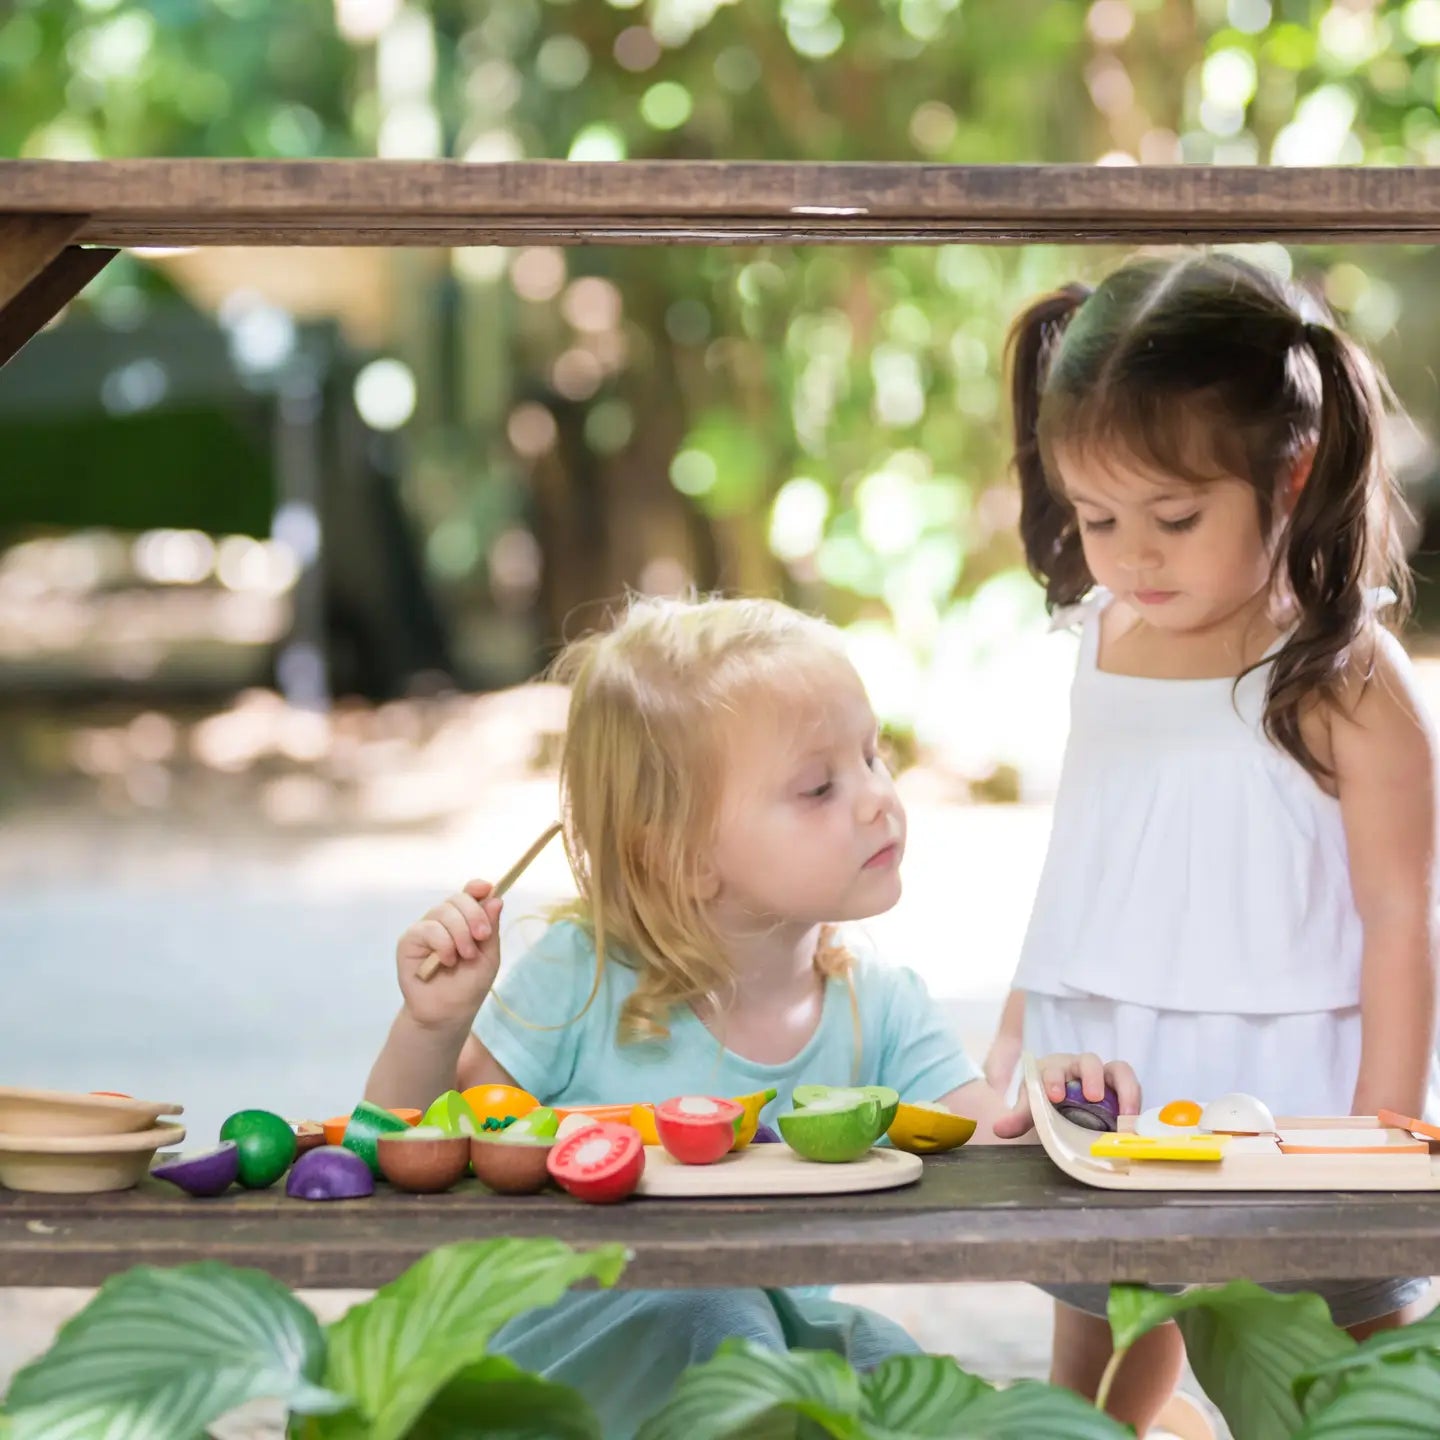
[(930, 1396)]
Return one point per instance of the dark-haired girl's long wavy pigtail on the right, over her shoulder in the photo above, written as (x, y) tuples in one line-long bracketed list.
[(1341, 541)]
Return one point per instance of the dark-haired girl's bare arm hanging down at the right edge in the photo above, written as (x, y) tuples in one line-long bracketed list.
[(1385, 757)]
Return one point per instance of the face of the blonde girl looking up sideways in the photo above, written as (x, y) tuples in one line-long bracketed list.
[(811, 829)]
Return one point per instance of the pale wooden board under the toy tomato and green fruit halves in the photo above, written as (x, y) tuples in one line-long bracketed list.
[(775, 1170)]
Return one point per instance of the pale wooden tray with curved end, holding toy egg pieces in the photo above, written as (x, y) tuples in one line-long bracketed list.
[(1251, 1163)]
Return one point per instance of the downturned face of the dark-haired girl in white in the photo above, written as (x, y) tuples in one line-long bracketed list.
[(1184, 557)]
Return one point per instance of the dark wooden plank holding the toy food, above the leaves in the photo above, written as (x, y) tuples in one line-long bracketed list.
[(978, 1215)]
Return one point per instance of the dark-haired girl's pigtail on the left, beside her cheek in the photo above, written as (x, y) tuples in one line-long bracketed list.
[(1046, 523)]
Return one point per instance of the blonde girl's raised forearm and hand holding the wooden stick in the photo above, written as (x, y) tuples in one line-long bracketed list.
[(431, 1048)]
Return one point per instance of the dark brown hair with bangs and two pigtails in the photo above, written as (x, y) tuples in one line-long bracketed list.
[(1206, 368)]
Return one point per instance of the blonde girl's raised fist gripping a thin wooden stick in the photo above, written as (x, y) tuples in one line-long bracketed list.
[(464, 932)]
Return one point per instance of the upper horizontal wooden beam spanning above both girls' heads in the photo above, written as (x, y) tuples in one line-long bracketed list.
[(382, 202)]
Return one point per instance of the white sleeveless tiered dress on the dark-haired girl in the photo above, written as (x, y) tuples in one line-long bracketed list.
[(1194, 915)]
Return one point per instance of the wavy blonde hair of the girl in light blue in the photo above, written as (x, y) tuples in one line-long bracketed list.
[(642, 783)]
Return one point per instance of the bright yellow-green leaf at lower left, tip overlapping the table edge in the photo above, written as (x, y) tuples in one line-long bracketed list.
[(398, 1351)]
